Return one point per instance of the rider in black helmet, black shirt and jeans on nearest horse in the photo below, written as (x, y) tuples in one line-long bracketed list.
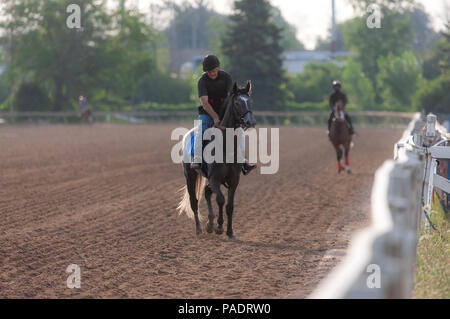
[(213, 88)]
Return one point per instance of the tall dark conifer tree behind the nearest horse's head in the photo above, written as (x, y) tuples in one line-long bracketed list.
[(252, 46)]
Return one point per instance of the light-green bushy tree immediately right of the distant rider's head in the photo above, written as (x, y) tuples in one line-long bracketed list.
[(358, 86)]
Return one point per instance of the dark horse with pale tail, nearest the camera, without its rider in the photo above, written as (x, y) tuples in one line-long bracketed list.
[(236, 112)]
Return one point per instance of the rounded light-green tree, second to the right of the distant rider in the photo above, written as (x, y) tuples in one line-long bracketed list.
[(398, 79)]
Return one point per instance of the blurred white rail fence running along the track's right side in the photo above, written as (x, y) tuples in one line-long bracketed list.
[(381, 259)]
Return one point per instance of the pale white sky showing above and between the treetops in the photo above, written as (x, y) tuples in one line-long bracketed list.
[(313, 17)]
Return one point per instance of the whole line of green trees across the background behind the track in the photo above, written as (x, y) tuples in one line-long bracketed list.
[(119, 60)]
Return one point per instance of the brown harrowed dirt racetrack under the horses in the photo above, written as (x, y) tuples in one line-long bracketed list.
[(105, 197)]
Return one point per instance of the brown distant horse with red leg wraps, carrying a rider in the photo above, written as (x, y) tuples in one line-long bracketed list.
[(340, 137)]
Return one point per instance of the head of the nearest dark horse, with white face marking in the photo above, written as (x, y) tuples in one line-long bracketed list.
[(239, 112)]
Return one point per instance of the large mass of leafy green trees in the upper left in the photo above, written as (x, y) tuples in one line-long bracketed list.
[(110, 53)]
